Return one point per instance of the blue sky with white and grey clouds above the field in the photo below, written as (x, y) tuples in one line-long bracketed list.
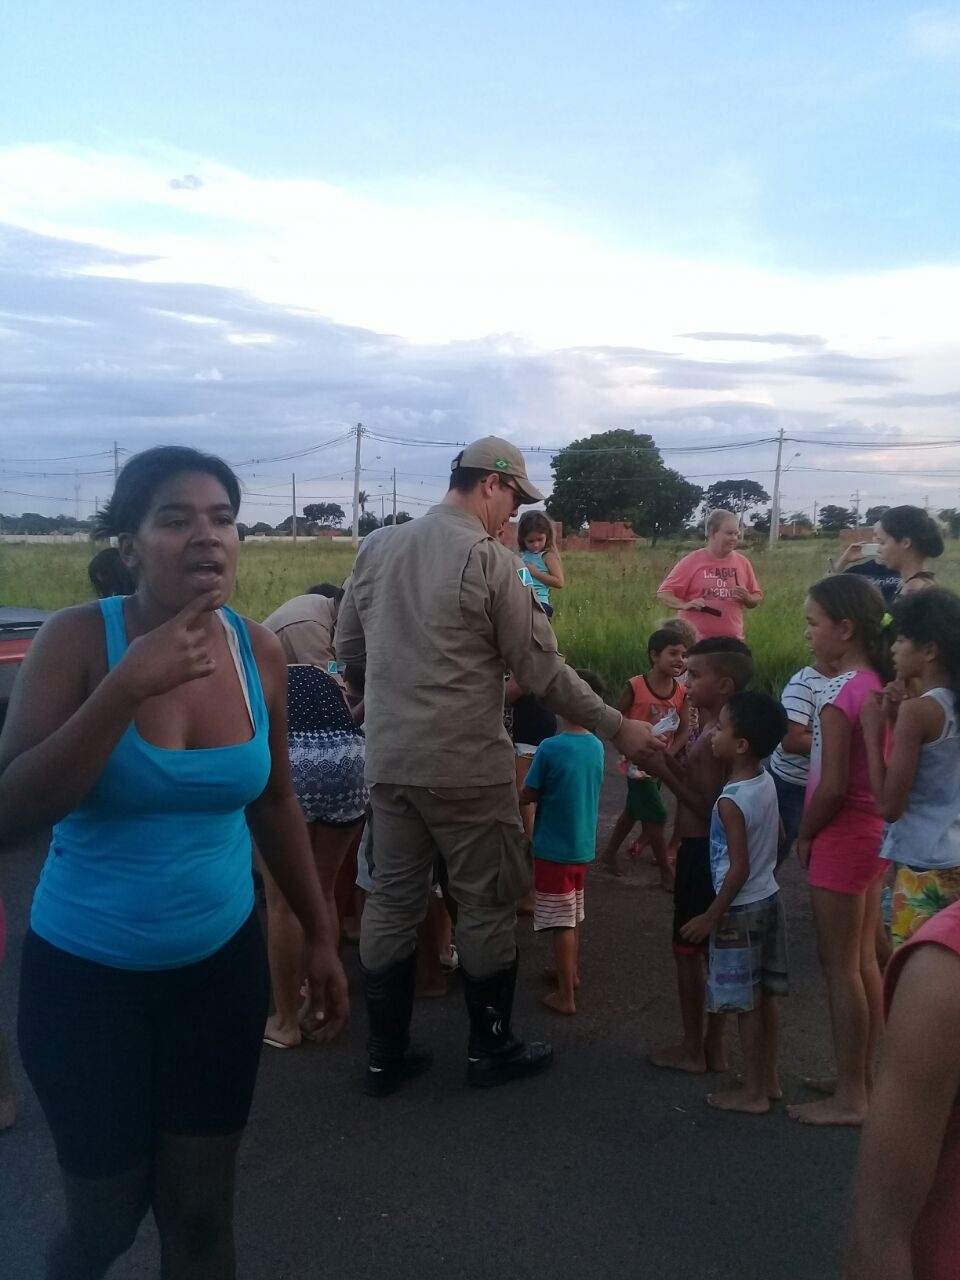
[(249, 228)]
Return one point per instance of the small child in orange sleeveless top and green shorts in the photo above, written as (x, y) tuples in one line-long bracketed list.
[(657, 698)]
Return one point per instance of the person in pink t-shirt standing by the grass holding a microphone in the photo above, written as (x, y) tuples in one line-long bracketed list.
[(717, 582)]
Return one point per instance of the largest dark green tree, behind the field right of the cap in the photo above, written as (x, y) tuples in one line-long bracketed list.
[(620, 476)]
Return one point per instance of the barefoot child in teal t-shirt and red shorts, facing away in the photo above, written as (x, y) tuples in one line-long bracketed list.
[(565, 785)]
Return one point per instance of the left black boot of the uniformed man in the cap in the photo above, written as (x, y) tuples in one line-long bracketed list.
[(390, 1004)]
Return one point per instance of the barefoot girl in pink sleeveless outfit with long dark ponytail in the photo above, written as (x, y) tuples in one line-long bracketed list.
[(840, 838)]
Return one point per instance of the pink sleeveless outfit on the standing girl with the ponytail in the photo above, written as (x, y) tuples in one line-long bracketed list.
[(845, 854)]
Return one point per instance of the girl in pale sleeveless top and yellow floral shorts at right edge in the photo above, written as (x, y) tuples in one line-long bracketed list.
[(918, 789)]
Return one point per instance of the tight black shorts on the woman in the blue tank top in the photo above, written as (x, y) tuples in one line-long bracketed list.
[(118, 1057)]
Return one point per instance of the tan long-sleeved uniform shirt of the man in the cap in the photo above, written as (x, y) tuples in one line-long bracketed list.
[(440, 614)]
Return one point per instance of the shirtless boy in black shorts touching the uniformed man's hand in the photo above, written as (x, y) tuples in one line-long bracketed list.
[(716, 670)]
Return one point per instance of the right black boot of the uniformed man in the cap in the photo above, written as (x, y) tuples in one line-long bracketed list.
[(495, 1055)]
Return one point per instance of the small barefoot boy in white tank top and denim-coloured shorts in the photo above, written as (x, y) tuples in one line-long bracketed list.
[(748, 967)]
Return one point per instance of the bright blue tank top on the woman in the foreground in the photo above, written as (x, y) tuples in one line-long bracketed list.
[(153, 871)]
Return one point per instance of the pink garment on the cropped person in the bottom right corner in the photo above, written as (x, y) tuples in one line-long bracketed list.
[(936, 1238)]
